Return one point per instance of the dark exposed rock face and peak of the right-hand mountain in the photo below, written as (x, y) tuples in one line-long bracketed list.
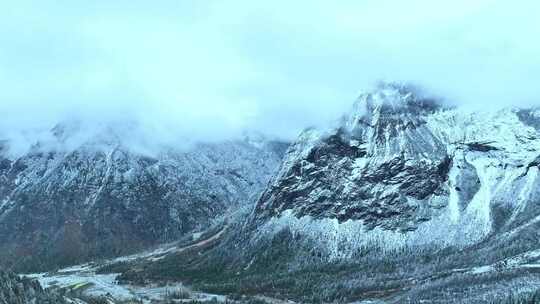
[(371, 169)]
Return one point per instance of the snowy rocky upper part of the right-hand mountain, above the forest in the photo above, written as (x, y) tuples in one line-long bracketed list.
[(402, 170)]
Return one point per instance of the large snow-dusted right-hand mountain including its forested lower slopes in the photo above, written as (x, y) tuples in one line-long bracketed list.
[(407, 200)]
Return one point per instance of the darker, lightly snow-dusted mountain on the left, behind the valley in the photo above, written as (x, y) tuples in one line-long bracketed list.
[(101, 198)]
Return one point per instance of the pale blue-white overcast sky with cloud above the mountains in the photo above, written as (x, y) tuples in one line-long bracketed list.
[(210, 69)]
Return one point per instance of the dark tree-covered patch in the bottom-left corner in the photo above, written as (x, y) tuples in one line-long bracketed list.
[(14, 290)]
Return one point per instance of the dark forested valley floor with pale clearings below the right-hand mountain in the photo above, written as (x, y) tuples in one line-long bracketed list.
[(511, 276)]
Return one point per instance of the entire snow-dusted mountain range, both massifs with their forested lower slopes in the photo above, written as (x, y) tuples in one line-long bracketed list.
[(406, 200)]
